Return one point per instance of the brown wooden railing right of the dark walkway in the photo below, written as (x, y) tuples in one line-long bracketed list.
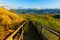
[(55, 32)]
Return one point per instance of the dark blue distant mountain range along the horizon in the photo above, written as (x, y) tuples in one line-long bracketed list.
[(36, 11)]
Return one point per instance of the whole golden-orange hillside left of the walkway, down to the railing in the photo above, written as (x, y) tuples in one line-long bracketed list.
[(8, 22)]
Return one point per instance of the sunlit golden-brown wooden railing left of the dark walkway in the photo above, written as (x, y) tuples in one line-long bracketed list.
[(10, 37)]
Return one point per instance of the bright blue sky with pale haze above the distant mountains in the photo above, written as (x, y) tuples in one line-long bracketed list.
[(33, 3)]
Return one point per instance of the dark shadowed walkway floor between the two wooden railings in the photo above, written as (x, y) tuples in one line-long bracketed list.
[(33, 34)]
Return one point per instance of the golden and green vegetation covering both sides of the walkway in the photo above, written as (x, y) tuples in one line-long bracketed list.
[(10, 21)]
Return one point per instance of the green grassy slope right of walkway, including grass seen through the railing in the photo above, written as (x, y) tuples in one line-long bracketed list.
[(45, 19)]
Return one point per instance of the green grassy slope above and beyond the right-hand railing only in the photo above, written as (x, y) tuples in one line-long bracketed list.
[(45, 19)]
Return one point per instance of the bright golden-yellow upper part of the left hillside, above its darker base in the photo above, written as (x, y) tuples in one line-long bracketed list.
[(7, 17)]
